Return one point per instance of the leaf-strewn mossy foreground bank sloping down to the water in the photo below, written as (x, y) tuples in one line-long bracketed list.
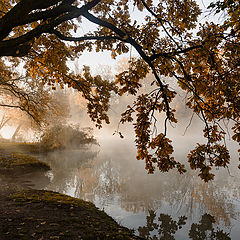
[(57, 216)]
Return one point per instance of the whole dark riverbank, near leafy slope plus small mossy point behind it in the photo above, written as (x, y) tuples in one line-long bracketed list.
[(37, 214)]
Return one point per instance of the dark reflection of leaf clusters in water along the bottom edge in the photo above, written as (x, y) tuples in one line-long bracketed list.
[(167, 227)]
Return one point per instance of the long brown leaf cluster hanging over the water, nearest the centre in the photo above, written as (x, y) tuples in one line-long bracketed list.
[(157, 149)]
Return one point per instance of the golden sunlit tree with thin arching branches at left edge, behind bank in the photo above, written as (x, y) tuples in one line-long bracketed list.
[(26, 94)]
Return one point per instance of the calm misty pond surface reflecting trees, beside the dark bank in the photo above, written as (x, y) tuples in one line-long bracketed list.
[(158, 206)]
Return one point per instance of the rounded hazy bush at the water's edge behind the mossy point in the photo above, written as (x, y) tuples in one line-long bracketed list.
[(70, 136)]
